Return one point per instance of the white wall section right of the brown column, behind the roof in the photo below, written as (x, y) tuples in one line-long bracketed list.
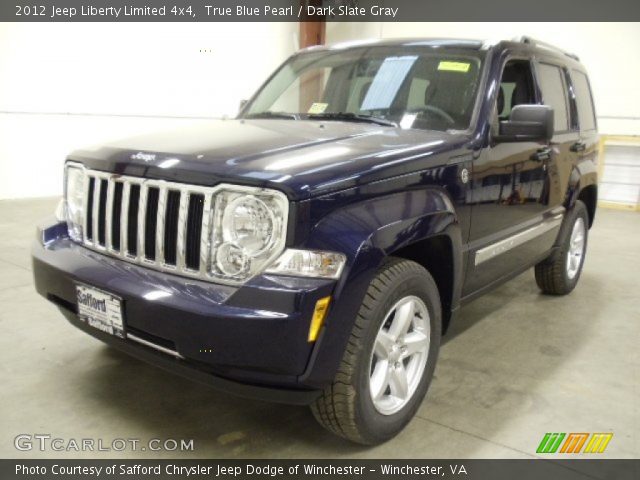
[(610, 51)]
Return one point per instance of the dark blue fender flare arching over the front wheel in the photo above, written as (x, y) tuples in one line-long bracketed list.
[(368, 232)]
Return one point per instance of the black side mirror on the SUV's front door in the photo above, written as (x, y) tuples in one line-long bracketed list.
[(527, 123)]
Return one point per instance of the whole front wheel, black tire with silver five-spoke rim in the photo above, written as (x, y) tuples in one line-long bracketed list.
[(390, 358)]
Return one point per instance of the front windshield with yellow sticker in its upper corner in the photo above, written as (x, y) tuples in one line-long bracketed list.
[(410, 87)]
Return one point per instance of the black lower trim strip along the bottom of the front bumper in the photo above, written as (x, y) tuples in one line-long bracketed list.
[(182, 368)]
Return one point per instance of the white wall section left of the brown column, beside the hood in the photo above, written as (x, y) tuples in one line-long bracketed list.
[(63, 86)]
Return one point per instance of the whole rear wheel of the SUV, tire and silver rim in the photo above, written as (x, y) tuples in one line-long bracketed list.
[(559, 274)]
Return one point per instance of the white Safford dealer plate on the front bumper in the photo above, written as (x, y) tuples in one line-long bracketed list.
[(100, 309)]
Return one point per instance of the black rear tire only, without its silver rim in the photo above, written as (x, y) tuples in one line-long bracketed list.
[(552, 274)]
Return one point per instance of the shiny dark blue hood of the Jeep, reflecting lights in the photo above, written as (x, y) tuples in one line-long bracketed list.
[(301, 158)]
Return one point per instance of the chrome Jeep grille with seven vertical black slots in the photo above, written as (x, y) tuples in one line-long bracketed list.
[(160, 224)]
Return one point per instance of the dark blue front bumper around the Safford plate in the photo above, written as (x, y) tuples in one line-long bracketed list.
[(249, 340)]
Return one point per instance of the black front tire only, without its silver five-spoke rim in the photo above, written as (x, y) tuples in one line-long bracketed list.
[(346, 408)]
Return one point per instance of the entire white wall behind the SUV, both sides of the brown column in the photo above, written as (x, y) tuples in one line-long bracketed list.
[(67, 85)]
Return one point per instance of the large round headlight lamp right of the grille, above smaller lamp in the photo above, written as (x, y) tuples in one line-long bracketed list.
[(249, 223)]
